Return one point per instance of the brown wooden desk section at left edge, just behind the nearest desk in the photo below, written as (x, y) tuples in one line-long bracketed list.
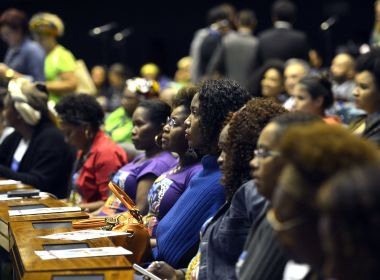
[(47, 202)]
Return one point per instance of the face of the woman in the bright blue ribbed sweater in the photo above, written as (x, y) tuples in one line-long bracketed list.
[(193, 129)]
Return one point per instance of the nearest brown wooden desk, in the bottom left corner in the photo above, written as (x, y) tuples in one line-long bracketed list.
[(27, 265)]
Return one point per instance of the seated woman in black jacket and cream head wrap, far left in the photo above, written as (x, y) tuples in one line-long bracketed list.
[(36, 153)]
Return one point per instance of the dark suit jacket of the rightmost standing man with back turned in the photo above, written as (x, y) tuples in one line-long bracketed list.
[(282, 43)]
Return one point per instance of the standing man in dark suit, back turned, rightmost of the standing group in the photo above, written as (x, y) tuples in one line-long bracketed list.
[(282, 41)]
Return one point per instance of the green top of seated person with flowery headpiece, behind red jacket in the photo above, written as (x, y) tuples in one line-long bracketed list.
[(118, 126)]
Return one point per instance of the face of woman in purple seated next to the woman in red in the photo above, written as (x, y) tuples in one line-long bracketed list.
[(144, 130)]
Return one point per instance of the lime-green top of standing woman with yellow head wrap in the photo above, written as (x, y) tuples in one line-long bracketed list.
[(58, 61)]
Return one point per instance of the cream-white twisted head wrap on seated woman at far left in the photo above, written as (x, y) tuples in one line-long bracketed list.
[(28, 113)]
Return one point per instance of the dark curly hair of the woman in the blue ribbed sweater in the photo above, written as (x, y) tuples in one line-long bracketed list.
[(216, 99)]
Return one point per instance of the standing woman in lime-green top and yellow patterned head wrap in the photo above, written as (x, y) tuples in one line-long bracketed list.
[(60, 63)]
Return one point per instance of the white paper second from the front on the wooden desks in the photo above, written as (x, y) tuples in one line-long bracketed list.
[(81, 235)]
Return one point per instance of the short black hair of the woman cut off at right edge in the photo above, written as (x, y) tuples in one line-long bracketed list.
[(370, 62)]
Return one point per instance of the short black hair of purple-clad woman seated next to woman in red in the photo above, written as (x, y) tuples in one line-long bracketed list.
[(158, 110)]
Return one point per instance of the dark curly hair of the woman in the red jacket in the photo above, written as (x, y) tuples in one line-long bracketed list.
[(80, 109)]
